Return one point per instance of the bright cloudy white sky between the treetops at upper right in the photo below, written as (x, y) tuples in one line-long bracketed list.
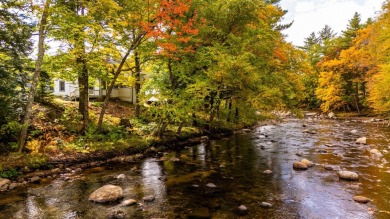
[(312, 15)]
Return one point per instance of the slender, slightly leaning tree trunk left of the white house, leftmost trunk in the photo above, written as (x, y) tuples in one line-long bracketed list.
[(35, 79)]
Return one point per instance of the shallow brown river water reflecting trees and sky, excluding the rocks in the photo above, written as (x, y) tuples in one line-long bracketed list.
[(235, 165)]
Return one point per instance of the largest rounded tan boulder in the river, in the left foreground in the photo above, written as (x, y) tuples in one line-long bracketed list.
[(107, 193)]
